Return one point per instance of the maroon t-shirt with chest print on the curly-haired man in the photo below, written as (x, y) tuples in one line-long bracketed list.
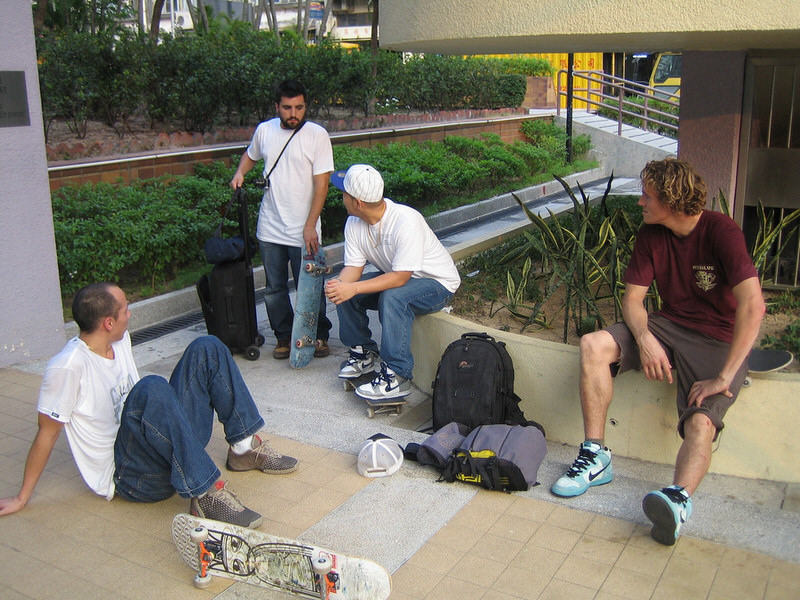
[(694, 274)]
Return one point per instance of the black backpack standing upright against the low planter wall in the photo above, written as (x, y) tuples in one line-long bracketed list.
[(474, 384)]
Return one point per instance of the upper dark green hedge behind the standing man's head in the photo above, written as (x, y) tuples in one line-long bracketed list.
[(226, 78)]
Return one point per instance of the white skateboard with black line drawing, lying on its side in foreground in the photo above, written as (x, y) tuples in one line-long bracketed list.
[(215, 548)]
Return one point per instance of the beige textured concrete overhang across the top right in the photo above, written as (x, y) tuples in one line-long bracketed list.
[(509, 26)]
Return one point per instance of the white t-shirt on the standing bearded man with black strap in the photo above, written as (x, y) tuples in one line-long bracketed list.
[(287, 202)]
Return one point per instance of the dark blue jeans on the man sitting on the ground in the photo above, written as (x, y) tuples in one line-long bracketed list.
[(165, 426)]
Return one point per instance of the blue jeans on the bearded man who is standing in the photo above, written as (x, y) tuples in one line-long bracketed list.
[(276, 297)]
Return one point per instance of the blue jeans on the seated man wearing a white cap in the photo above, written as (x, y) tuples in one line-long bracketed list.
[(396, 308)]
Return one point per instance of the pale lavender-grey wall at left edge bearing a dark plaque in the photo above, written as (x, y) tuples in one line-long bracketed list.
[(31, 320)]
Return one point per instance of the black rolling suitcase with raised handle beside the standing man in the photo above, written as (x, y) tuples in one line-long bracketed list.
[(227, 294)]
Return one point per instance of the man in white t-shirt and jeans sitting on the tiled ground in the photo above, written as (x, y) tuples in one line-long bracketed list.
[(144, 439)]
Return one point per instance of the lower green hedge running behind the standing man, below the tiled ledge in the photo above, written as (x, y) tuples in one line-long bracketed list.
[(143, 234)]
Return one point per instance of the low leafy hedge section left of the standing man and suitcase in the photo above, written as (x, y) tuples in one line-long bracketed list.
[(144, 231)]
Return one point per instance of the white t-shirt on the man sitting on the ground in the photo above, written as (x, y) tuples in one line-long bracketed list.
[(86, 392)]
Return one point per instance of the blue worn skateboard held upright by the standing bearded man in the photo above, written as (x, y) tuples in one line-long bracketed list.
[(306, 311)]
